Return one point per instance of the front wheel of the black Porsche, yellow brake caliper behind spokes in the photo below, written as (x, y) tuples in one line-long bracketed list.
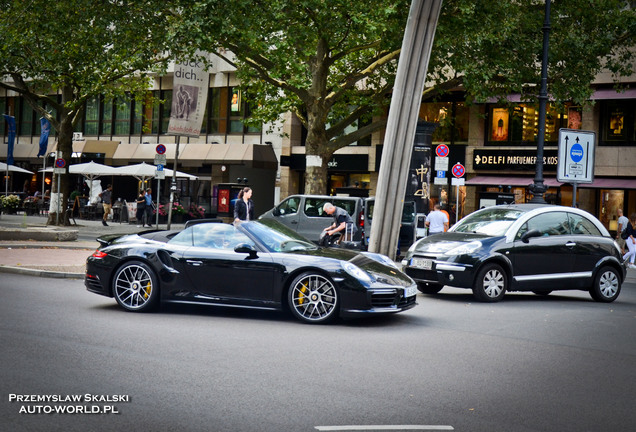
[(313, 298)]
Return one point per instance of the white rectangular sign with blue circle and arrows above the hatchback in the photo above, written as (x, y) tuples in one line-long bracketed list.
[(576, 156)]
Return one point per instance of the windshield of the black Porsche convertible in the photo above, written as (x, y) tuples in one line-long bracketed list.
[(276, 237)]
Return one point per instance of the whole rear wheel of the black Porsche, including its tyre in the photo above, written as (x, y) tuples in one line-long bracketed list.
[(135, 287)]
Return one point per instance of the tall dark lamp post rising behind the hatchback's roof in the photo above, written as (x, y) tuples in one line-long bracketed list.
[(538, 188)]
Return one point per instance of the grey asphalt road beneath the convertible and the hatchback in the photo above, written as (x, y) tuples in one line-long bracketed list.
[(530, 363)]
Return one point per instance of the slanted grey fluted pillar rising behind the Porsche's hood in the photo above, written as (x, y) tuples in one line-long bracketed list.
[(402, 122)]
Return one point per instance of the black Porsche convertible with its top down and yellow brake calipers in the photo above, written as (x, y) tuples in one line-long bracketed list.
[(256, 264)]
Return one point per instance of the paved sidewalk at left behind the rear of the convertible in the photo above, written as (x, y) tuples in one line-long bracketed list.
[(59, 259)]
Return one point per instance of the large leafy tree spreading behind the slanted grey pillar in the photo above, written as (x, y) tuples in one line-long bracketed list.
[(333, 62)]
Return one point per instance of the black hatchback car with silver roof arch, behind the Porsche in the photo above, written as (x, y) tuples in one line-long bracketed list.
[(523, 247)]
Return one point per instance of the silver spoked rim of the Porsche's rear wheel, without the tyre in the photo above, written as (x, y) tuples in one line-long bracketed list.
[(133, 287)]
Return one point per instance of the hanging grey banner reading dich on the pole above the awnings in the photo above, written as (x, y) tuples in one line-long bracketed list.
[(189, 97)]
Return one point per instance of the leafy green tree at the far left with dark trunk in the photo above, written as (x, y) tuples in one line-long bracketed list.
[(58, 55)]
